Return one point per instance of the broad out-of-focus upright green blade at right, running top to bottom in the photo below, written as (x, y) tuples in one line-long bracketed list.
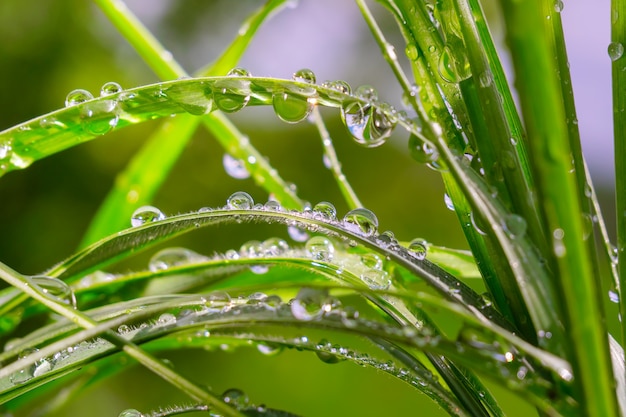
[(544, 114)]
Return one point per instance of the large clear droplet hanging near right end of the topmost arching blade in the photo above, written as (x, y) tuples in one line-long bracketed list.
[(368, 125)]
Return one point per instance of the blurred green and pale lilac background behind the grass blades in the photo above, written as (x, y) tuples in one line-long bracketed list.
[(50, 48)]
